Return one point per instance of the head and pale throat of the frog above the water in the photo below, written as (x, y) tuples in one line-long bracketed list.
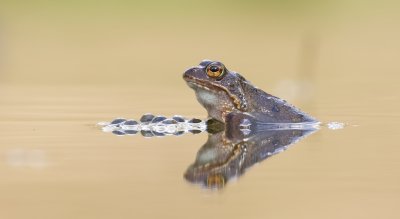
[(217, 89)]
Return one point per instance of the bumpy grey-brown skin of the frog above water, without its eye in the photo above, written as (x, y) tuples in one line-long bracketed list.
[(232, 93)]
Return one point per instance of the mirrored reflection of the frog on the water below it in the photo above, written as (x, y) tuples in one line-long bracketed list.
[(228, 153)]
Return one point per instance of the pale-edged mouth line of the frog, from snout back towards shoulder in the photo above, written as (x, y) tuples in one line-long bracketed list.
[(215, 88)]
